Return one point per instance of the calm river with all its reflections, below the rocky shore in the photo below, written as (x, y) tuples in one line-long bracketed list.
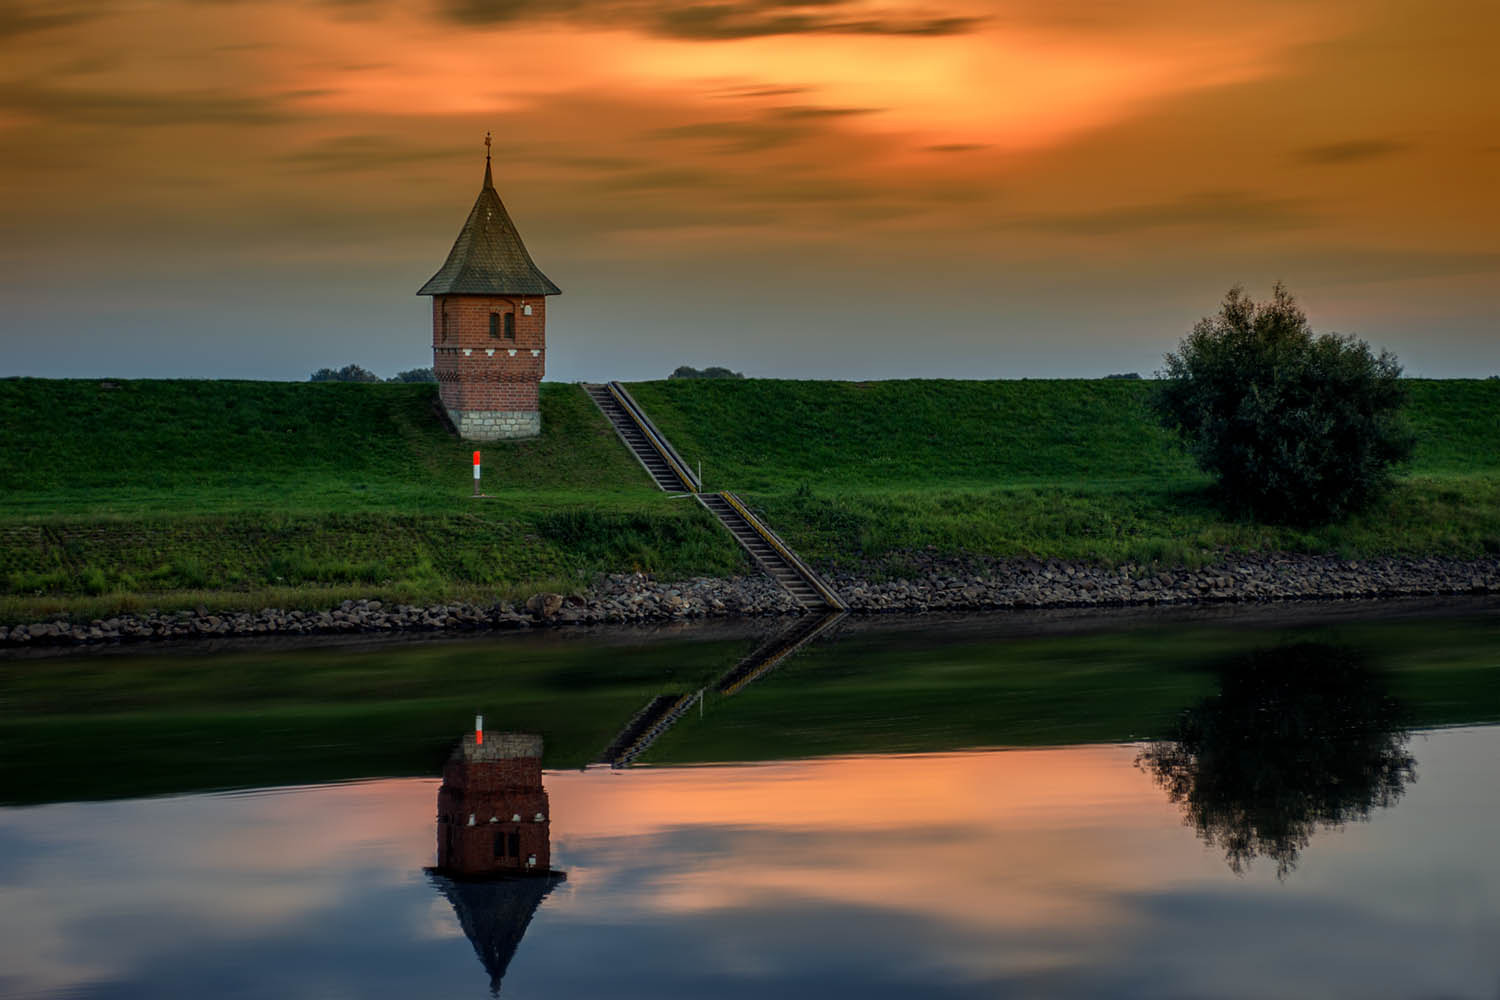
[(1297, 803)]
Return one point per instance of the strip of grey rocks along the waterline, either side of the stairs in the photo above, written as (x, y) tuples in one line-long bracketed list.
[(929, 584)]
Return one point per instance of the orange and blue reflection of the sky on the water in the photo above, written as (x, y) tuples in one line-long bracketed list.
[(1019, 873)]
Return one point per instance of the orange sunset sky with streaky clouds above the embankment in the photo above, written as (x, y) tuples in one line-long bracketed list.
[(830, 190)]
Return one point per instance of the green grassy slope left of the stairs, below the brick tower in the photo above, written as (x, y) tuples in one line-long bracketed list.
[(127, 496)]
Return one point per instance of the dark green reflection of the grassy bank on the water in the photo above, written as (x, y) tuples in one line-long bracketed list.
[(139, 723)]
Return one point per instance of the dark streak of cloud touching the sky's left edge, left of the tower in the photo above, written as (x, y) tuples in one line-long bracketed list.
[(112, 107)]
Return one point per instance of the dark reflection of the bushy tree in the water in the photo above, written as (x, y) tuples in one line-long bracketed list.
[(1298, 738)]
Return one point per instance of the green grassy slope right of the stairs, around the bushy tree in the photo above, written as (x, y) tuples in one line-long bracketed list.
[(1066, 469)]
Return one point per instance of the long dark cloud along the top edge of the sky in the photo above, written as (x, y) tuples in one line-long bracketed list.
[(710, 20)]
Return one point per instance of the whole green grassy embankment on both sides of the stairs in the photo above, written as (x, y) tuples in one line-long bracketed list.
[(133, 494)]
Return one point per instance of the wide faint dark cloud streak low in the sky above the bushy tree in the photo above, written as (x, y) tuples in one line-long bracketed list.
[(1210, 209)]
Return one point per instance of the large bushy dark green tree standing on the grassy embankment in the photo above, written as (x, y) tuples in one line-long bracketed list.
[(1297, 428)]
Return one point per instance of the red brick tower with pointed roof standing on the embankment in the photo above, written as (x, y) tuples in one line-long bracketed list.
[(490, 325)]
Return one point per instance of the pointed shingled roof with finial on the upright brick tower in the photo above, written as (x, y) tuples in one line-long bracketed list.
[(490, 259)]
